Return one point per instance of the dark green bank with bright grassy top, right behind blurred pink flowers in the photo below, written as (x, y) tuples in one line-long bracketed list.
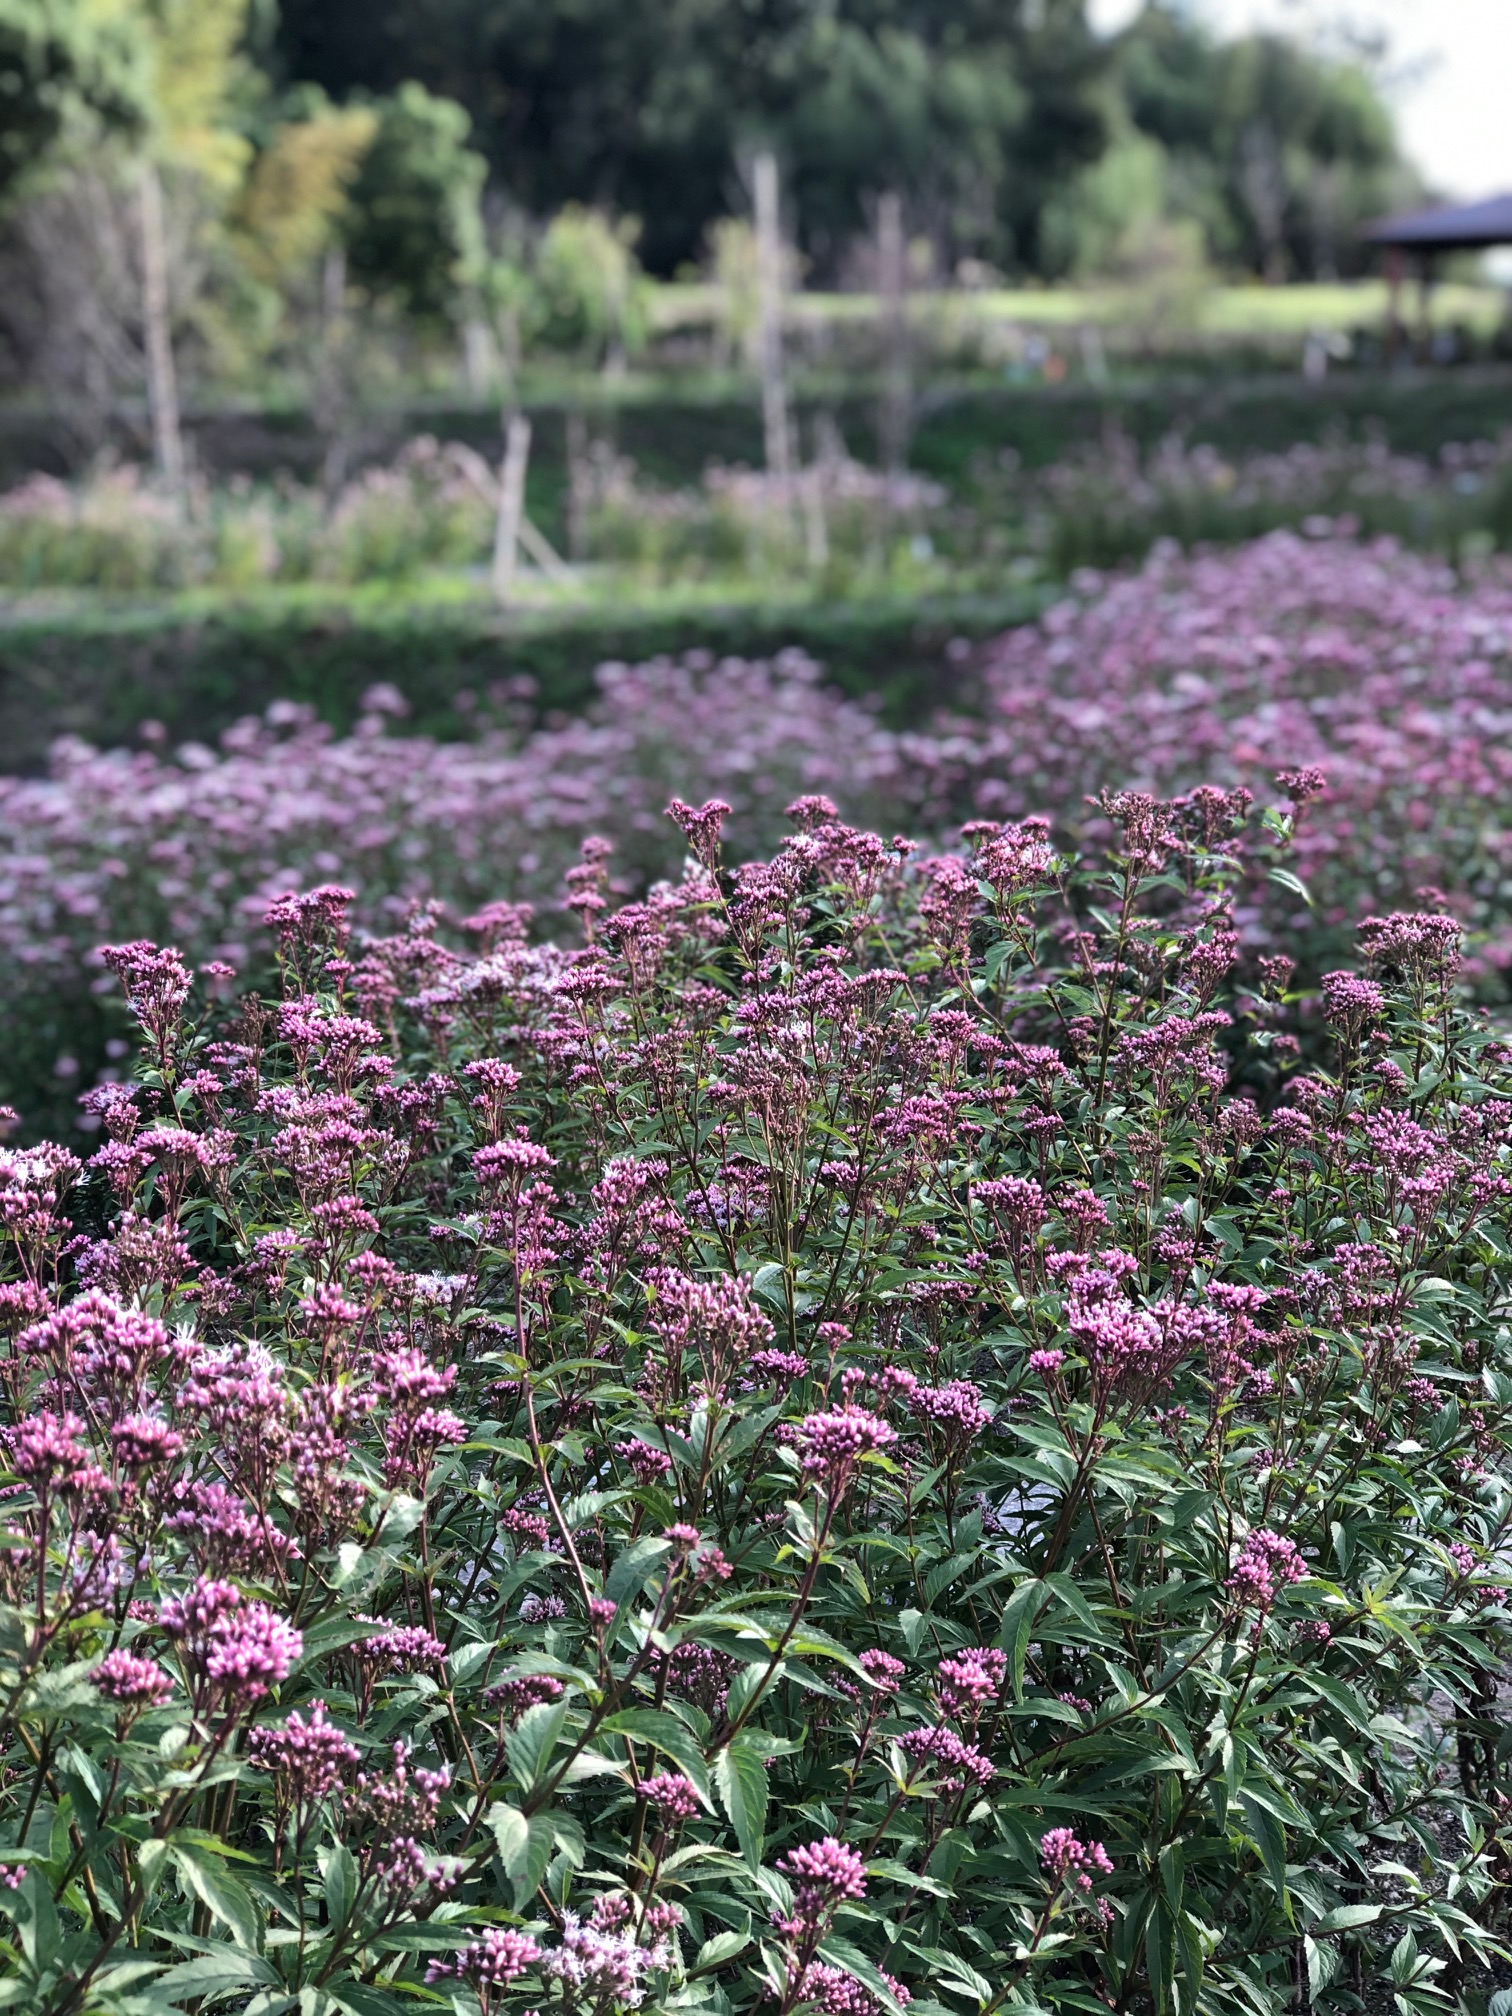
[(102, 674)]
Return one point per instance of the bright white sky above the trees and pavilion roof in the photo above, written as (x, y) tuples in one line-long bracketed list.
[(1448, 72)]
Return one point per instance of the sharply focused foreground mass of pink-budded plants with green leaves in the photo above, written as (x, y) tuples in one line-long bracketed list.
[(862, 1440)]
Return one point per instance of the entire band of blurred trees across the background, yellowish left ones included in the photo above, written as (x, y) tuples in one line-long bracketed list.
[(513, 170)]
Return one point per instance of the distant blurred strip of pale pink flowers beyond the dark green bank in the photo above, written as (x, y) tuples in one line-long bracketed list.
[(834, 523)]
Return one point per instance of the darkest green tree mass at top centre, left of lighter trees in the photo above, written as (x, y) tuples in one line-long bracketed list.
[(973, 110)]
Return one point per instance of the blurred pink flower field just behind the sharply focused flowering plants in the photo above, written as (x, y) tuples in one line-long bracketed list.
[(1382, 668)]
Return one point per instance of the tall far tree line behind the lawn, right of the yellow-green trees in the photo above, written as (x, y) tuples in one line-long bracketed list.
[(981, 112)]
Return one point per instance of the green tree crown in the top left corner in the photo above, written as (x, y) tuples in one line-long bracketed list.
[(68, 74)]
